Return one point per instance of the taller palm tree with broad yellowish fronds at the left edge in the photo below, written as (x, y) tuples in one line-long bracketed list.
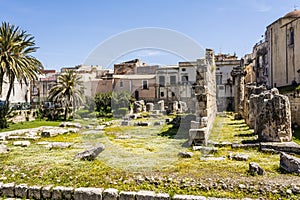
[(16, 60)]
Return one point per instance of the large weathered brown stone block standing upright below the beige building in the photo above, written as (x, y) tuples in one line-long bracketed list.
[(272, 116)]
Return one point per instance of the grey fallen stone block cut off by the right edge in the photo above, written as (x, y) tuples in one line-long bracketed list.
[(289, 163)]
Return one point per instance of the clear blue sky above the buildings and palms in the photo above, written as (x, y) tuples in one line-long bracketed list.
[(67, 32)]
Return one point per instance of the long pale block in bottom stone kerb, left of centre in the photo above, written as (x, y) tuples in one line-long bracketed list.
[(88, 193)]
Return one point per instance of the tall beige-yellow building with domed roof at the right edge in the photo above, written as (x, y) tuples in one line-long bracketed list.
[(283, 57)]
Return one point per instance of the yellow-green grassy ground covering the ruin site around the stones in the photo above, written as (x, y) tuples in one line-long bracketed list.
[(146, 160)]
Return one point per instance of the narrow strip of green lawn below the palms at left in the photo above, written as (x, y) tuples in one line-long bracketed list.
[(30, 124)]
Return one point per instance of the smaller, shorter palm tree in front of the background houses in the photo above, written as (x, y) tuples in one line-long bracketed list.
[(67, 91)]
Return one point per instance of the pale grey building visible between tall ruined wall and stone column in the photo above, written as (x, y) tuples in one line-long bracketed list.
[(224, 82)]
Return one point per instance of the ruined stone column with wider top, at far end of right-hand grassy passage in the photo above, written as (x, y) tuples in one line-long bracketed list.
[(238, 75)]
